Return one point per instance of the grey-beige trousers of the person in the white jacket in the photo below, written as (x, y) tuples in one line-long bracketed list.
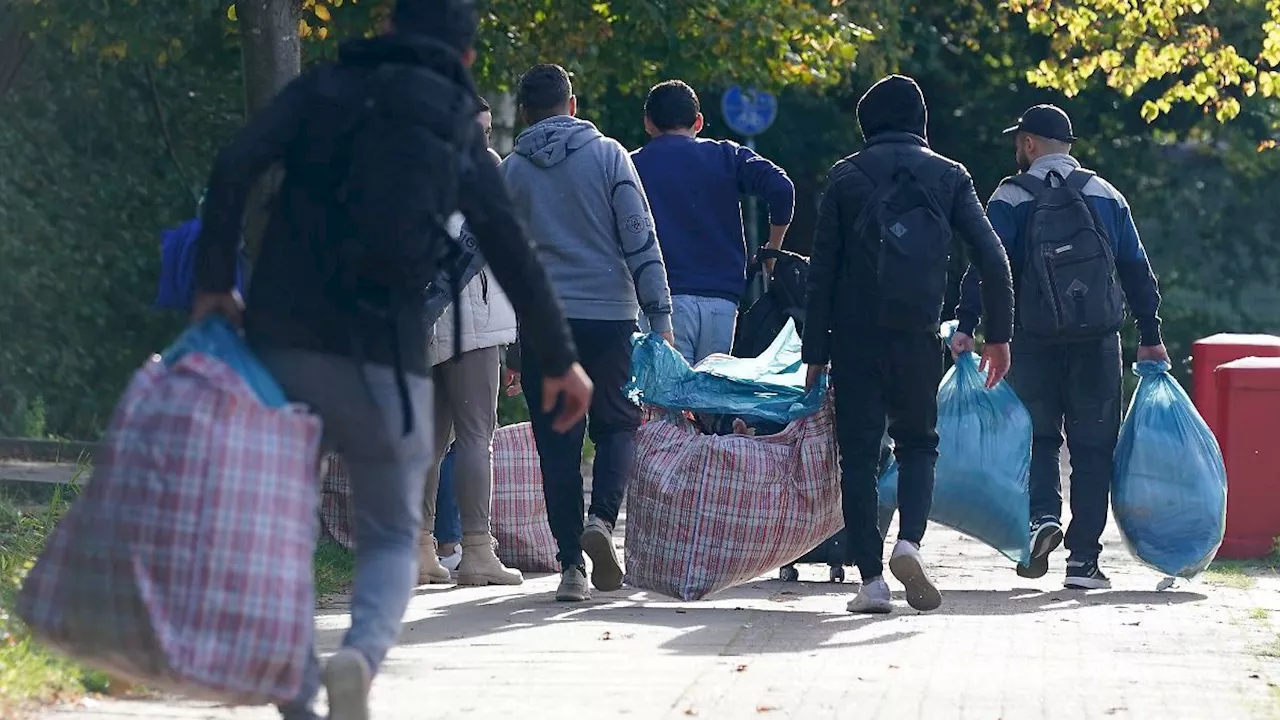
[(467, 412)]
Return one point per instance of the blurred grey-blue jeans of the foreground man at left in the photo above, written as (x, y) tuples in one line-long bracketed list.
[(362, 413)]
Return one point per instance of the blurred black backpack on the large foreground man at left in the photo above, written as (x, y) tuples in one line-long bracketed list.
[(394, 149)]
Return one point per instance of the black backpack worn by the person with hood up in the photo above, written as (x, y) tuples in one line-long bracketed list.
[(915, 250)]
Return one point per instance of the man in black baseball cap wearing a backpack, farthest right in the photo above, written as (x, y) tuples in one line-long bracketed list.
[(1077, 258)]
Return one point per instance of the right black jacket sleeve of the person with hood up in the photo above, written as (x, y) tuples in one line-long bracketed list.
[(988, 253)]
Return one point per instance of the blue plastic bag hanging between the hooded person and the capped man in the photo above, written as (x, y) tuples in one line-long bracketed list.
[(985, 455)]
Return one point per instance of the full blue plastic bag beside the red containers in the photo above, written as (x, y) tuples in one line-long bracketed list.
[(1169, 495)]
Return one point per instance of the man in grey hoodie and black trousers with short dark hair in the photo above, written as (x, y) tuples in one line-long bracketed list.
[(591, 222)]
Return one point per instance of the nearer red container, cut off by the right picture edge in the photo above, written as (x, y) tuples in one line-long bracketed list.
[(1250, 435)]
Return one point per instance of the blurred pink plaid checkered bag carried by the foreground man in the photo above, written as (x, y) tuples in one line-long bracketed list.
[(186, 563)]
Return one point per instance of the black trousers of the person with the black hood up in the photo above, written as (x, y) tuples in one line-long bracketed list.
[(886, 375)]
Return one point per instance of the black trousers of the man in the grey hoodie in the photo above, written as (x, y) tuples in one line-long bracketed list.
[(605, 350)]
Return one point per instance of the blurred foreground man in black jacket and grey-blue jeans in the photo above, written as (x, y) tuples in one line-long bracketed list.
[(335, 309)]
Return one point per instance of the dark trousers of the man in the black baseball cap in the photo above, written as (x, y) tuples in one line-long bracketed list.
[(1076, 386)]
